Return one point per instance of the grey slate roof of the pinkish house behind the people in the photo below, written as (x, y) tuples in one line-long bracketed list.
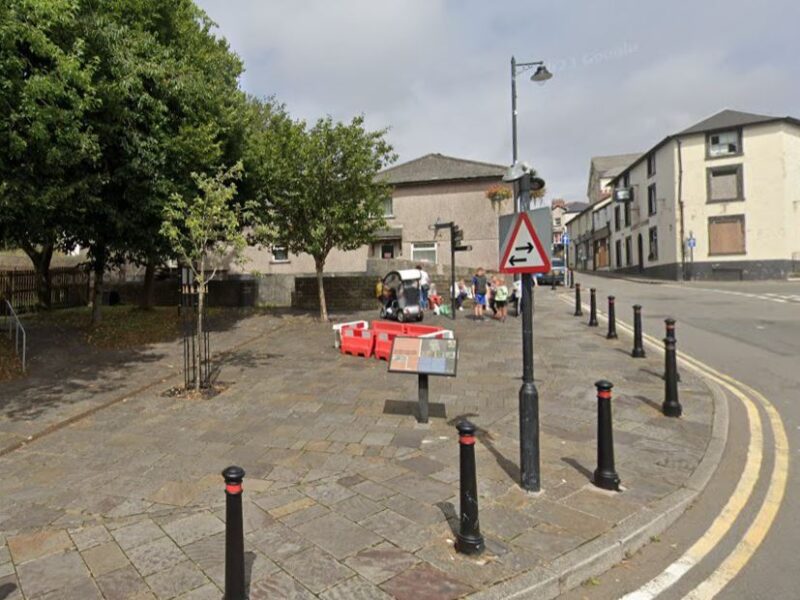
[(437, 167)]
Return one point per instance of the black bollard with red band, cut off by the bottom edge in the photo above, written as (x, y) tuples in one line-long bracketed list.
[(234, 535)]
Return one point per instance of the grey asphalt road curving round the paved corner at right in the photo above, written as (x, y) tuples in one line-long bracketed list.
[(751, 332)]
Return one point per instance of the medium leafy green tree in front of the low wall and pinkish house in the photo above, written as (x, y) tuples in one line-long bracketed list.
[(320, 186)]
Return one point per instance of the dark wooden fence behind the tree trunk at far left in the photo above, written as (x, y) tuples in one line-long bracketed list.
[(68, 287)]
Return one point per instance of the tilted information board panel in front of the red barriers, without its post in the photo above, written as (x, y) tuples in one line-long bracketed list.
[(424, 356)]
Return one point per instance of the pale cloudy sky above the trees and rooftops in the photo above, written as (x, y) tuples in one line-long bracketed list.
[(626, 73)]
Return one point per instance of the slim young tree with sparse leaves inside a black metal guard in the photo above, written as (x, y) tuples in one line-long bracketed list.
[(203, 231)]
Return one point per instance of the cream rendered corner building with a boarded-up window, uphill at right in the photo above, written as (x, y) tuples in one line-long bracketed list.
[(718, 200)]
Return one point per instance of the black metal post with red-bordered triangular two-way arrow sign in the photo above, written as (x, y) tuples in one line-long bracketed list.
[(524, 254)]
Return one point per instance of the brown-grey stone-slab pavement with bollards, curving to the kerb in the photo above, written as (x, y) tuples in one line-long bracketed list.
[(118, 493)]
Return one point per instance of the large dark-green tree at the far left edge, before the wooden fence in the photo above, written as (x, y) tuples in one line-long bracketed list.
[(49, 148)]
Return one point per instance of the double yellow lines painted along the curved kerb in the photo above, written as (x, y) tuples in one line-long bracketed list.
[(755, 534)]
